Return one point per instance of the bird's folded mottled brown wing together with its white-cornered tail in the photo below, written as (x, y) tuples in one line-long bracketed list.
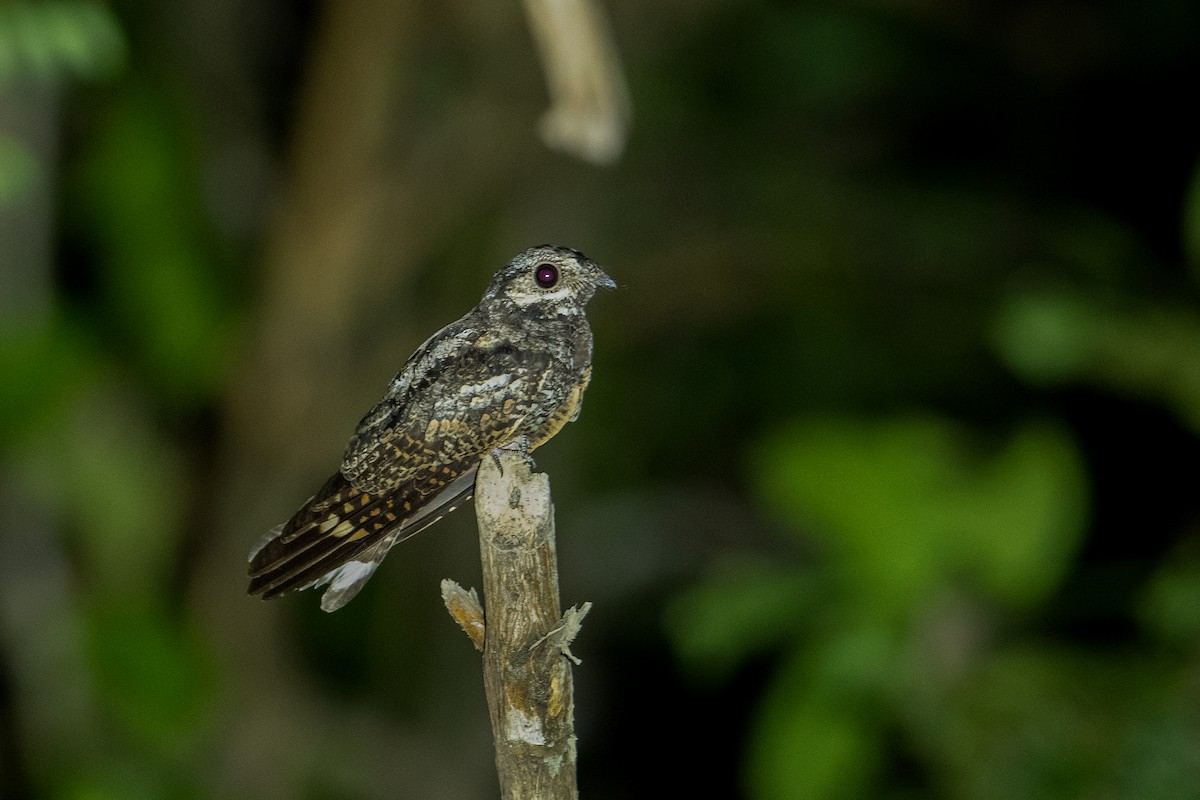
[(412, 461)]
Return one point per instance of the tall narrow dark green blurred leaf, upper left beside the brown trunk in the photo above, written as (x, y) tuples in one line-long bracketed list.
[(159, 272)]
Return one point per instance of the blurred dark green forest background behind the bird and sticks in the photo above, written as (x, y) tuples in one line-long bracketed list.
[(886, 485)]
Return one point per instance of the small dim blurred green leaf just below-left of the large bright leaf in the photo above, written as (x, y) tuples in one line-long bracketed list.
[(741, 610)]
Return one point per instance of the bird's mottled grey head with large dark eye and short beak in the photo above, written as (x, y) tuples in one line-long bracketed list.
[(549, 280)]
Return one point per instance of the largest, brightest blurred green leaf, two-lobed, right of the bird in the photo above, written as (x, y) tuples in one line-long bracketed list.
[(909, 506)]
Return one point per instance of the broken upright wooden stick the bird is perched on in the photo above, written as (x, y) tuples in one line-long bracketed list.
[(526, 642)]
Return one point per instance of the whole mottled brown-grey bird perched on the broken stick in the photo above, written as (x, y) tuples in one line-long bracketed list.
[(509, 375)]
